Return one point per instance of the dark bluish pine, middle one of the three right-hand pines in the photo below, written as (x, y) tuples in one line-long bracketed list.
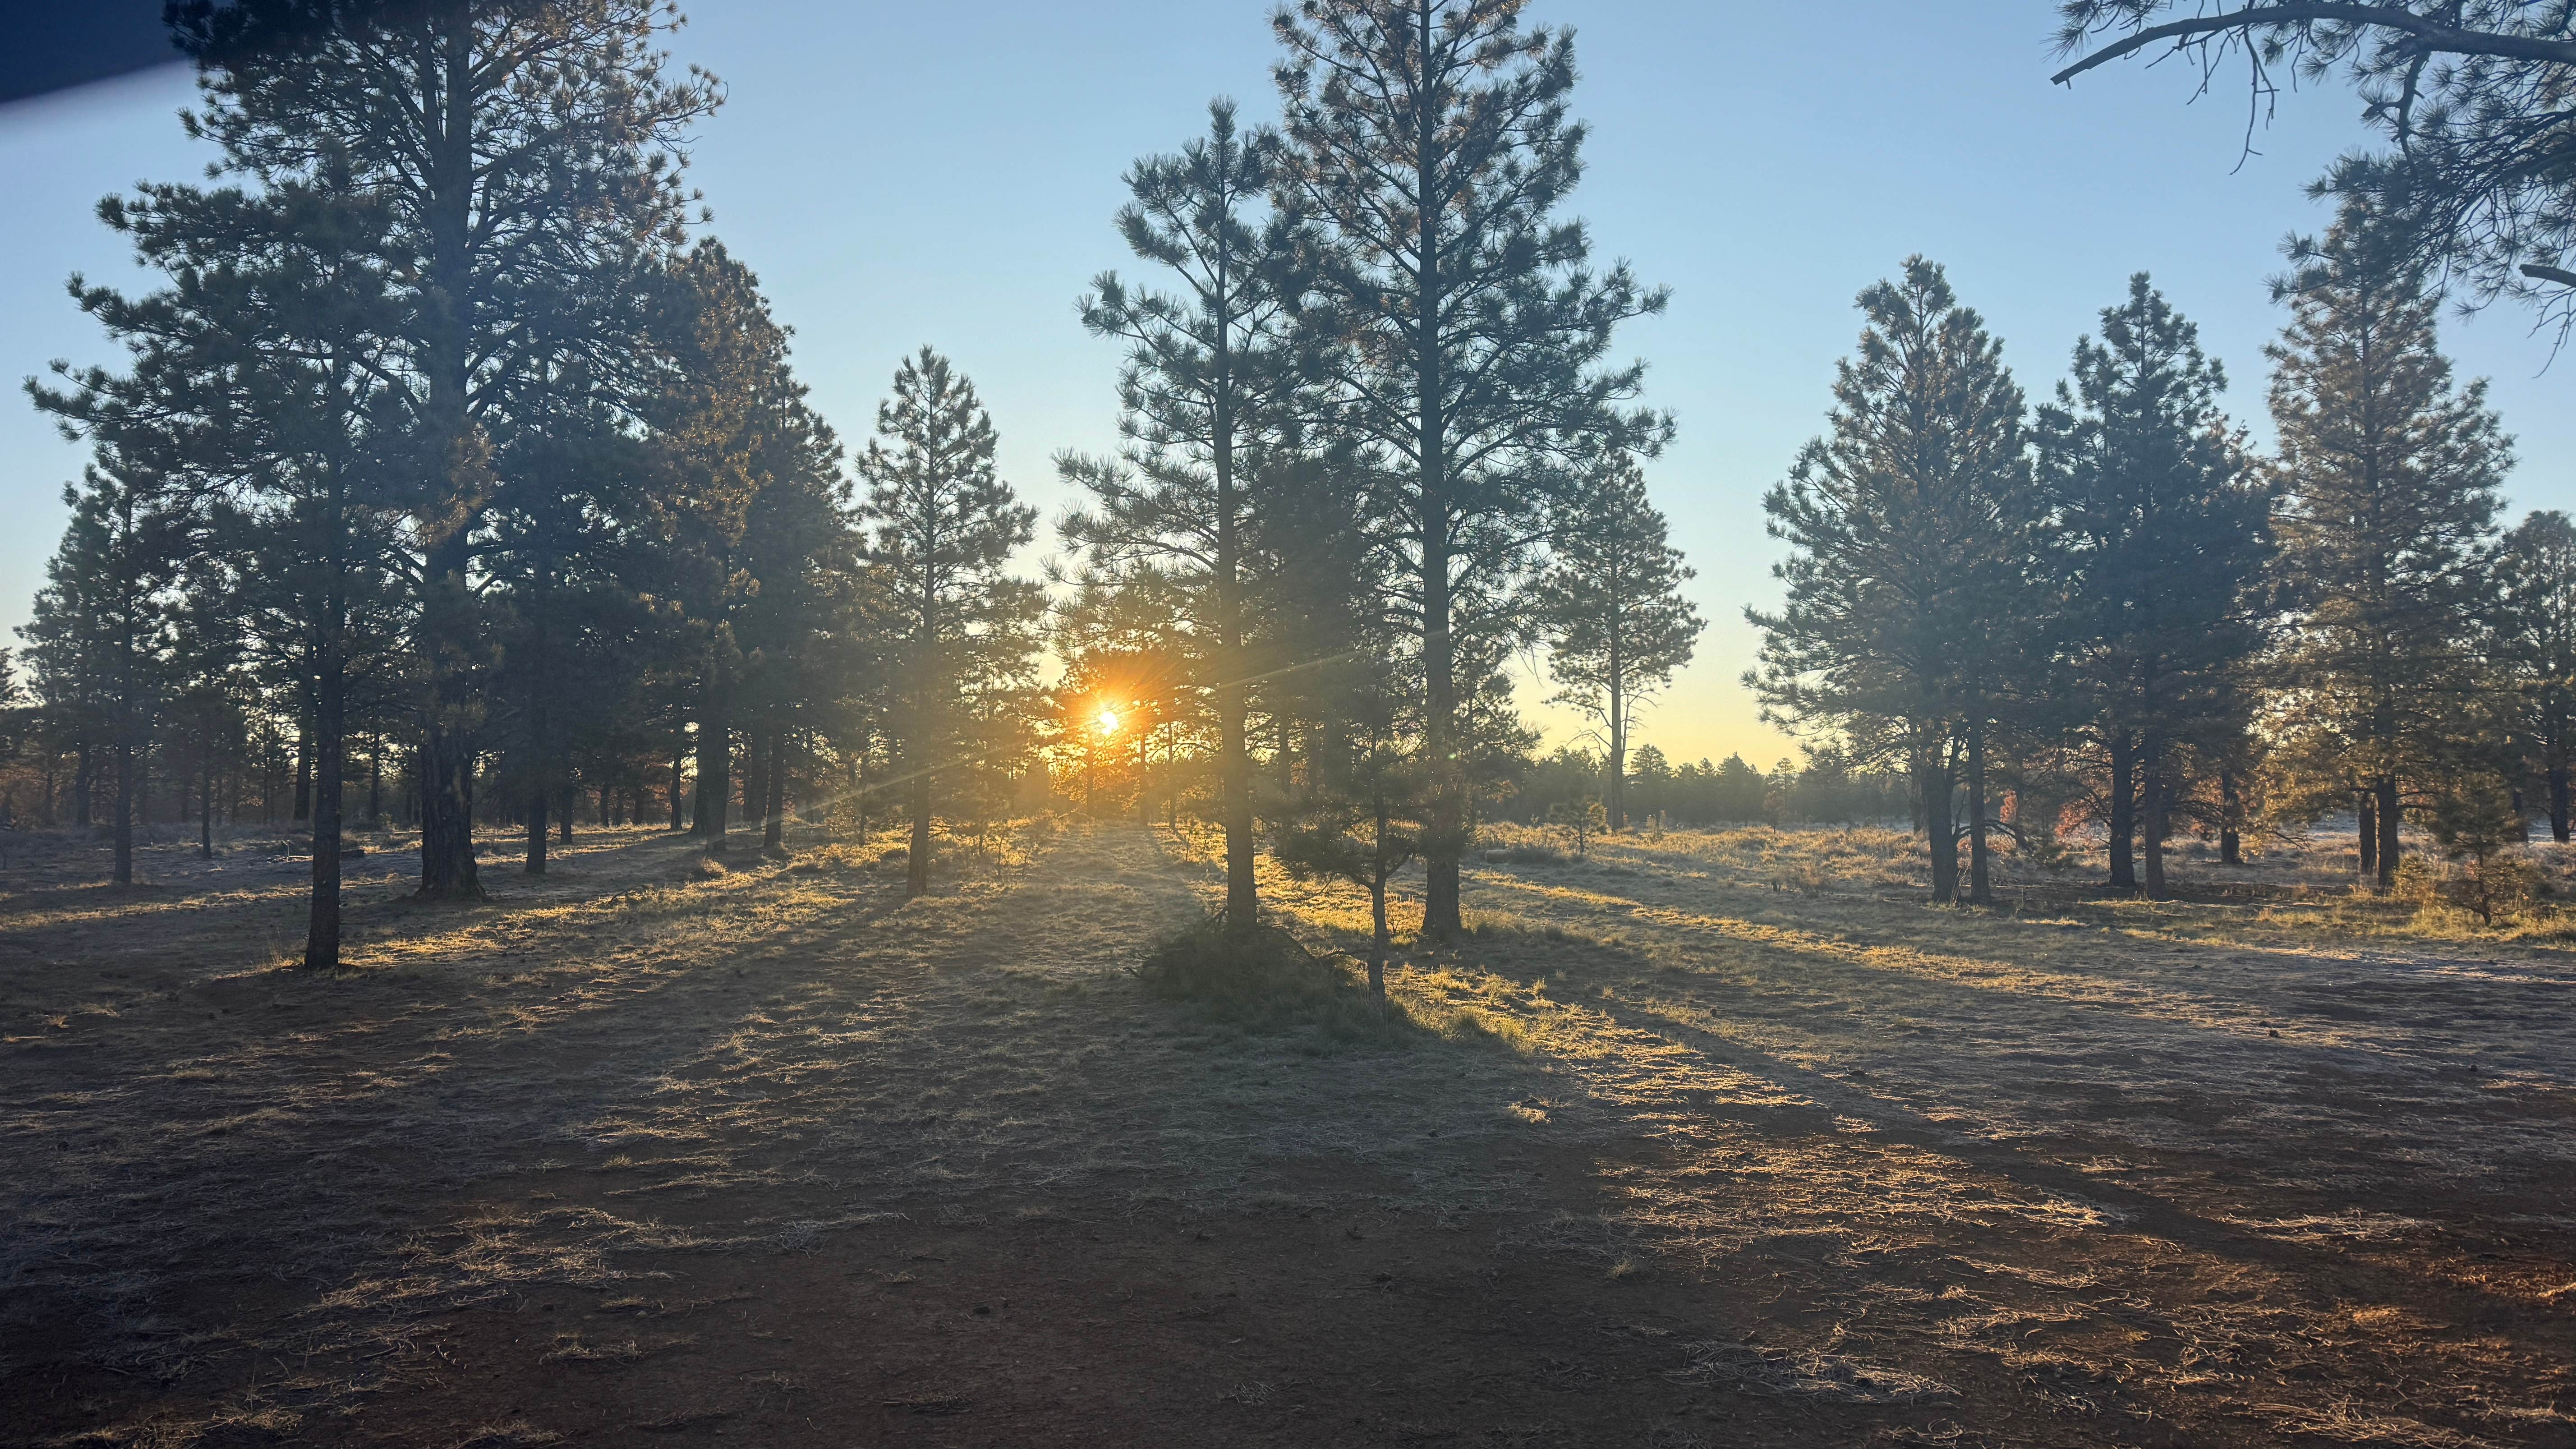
[(2163, 535)]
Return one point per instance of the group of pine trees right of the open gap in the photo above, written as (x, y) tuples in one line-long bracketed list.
[(2114, 612)]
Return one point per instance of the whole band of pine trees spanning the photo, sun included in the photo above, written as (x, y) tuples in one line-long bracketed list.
[(460, 481)]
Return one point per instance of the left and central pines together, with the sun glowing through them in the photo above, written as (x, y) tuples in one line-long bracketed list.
[(457, 471)]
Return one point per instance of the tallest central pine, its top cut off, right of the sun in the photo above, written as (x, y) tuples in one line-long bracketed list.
[(1431, 143)]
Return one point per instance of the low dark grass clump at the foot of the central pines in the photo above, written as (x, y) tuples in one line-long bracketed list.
[(1266, 981)]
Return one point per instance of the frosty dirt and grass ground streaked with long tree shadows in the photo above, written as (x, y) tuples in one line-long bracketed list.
[(1699, 1141)]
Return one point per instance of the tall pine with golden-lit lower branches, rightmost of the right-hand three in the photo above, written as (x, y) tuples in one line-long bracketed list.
[(2392, 496)]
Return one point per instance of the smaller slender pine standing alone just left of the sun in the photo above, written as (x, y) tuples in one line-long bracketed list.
[(944, 530)]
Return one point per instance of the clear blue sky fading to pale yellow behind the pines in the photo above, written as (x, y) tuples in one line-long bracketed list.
[(947, 174)]
